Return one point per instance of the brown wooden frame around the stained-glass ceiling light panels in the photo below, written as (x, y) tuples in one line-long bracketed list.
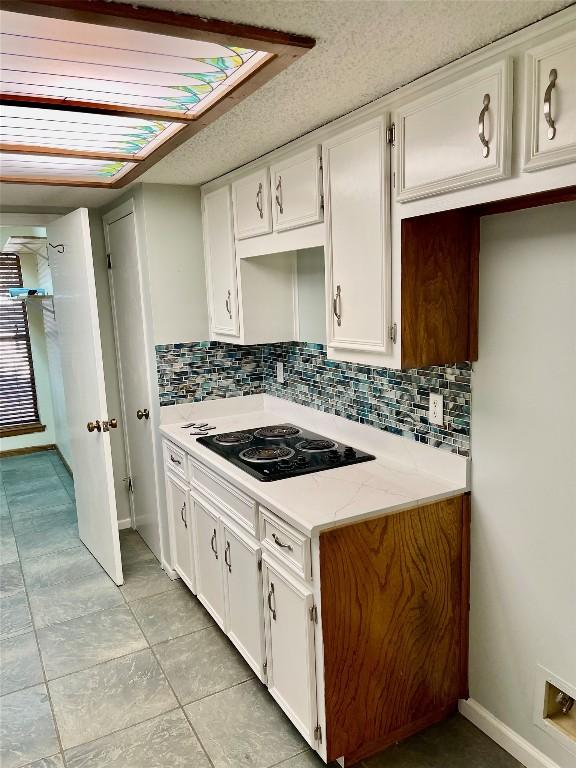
[(283, 49)]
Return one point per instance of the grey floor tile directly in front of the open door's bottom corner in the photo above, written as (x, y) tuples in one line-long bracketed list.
[(71, 599)]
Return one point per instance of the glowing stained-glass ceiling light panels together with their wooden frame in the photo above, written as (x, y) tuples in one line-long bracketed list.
[(91, 103)]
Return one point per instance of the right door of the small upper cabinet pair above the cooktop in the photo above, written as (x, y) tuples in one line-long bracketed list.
[(296, 190)]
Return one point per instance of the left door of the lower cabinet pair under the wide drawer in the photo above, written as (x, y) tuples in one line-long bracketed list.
[(209, 577)]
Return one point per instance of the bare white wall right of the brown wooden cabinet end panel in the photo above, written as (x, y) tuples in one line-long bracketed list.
[(523, 600)]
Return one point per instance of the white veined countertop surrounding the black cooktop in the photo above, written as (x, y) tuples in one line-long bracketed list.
[(405, 474)]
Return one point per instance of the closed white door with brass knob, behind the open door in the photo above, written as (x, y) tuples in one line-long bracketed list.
[(132, 355)]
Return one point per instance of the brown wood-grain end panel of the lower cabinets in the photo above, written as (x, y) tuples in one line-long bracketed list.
[(393, 624)]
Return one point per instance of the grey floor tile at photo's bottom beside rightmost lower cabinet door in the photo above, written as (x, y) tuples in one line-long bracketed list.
[(243, 726)]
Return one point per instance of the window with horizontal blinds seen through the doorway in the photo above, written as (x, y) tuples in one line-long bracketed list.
[(18, 404)]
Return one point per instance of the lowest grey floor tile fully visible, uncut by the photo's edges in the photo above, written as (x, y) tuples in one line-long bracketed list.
[(109, 697)]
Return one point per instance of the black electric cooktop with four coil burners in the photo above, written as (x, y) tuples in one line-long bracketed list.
[(281, 450)]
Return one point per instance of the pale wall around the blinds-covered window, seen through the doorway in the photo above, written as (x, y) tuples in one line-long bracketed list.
[(38, 346)]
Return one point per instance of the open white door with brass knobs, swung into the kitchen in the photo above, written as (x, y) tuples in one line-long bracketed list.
[(78, 326)]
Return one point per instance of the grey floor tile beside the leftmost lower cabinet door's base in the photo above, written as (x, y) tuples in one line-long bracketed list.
[(169, 615)]
